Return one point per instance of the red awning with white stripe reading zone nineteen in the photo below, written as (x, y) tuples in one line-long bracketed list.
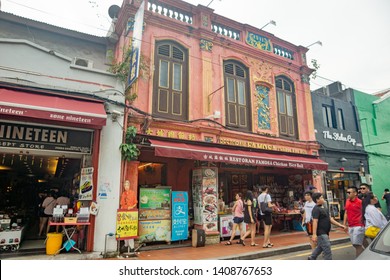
[(55, 108)]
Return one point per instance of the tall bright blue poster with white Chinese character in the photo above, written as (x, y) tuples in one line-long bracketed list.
[(179, 216)]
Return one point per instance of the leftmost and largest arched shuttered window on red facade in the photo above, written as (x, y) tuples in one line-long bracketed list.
[(170, 85)]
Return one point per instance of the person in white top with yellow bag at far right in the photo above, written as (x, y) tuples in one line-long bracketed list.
[(375, 220)]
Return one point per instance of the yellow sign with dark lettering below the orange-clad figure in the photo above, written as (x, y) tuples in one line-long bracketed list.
[(126, 224)]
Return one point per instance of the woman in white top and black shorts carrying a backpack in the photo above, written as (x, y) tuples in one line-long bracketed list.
[(266, 206)]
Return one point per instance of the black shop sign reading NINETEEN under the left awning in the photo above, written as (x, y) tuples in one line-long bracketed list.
[(40, 137)]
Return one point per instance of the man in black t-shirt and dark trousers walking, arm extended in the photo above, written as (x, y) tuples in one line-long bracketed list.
[(321, 228)]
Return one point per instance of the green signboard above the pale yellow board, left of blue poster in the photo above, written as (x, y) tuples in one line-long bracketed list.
[(154, 198)]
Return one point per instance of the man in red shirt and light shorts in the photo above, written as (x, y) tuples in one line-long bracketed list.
[(353, 215)]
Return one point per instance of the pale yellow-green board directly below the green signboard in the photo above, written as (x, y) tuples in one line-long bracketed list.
[(154, 230)]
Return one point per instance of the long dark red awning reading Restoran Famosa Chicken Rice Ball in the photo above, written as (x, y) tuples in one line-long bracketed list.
[(233, 156)]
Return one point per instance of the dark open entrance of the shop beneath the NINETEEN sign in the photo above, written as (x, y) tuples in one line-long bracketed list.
[(25, 178)]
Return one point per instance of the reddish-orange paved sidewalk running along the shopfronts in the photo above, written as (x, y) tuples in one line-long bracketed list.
[(283, 243)]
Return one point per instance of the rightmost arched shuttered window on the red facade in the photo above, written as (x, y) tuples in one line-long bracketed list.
[(286, 107)]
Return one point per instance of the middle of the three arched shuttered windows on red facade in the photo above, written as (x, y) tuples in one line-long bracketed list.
[(237, 95)]
